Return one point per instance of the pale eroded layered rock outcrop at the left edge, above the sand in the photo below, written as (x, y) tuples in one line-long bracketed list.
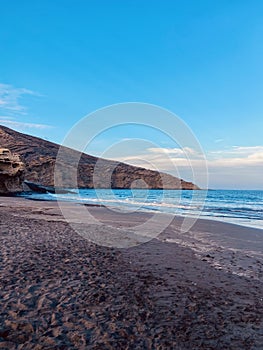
[(12, 171)]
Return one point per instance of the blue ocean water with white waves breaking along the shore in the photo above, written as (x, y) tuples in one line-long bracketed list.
[(242, 207)]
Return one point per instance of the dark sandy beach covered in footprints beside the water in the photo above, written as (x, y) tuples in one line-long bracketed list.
[(202, 289)]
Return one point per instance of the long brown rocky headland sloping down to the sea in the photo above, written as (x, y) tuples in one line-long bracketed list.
[(39, 157)]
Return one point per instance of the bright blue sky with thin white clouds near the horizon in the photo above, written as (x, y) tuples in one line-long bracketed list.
[(202, 60)]
